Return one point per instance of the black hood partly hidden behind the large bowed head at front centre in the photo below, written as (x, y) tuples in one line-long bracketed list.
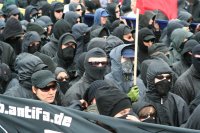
[(89, 94)]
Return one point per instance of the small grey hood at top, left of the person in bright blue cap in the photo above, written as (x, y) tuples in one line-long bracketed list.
[(71, 17)]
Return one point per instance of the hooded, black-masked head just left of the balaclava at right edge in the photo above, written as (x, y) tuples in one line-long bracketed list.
[(189, 45)]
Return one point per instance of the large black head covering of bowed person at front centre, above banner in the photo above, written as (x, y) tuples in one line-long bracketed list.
[(111, 100)]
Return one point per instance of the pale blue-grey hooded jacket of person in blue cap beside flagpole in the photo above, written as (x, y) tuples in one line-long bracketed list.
[(117, 75)]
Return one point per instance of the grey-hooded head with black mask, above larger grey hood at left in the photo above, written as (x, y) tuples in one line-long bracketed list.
[(29, 38)]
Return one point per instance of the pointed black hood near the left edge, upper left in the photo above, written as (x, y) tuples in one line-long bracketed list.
[(13, 28)]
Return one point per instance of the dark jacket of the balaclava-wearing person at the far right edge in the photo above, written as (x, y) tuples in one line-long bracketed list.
[(187, 85)]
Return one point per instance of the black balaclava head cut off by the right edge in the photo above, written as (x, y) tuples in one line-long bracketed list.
[(196, 61)]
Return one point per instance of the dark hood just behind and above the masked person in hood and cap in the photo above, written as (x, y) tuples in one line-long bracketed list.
[(61, 27)]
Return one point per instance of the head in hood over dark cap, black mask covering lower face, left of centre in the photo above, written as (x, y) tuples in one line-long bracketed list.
[(67, 54)]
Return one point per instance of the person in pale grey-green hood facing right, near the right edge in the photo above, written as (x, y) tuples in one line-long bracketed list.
[(178, 37)]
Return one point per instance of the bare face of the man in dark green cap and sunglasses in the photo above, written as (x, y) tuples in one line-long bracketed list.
[(46, 96)]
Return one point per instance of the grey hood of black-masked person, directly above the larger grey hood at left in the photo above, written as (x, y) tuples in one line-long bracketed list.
[(30, 37)]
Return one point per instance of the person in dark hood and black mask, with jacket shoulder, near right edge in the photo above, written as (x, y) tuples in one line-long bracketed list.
[(186, 58)]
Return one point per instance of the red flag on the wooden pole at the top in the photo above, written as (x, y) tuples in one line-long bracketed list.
[(168, 7)]
